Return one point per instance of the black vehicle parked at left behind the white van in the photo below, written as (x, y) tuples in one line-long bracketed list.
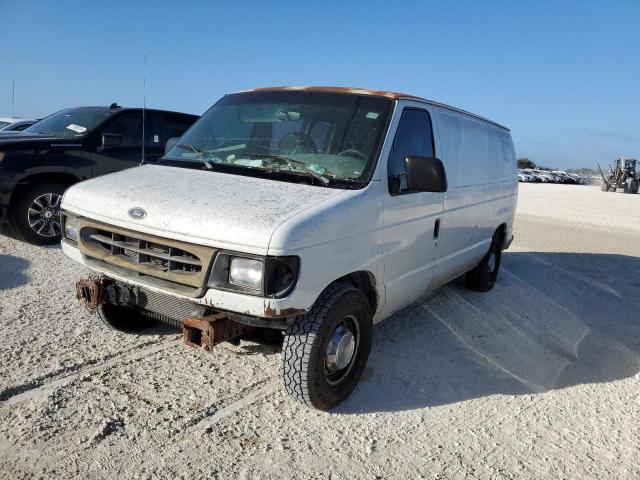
[(38, 164)]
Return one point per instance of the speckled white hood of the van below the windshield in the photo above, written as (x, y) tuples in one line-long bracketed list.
[(197, 206)]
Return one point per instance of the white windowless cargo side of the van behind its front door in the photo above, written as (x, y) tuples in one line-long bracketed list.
[(480, 165)]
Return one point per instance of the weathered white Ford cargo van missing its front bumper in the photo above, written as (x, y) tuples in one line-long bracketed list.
[(314, 211)]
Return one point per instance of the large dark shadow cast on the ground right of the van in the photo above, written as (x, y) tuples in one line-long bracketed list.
[(552, 321)]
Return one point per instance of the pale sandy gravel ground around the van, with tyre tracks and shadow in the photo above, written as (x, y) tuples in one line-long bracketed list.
[(537, 379)]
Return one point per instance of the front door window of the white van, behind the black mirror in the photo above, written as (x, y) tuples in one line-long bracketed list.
[(413, 137)]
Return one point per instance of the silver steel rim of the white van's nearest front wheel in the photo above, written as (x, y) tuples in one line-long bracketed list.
[(342, 350)]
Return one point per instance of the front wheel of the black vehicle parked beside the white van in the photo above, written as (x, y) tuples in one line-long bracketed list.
[(35, 213)]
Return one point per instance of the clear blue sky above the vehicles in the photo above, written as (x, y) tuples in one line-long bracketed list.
[(564, 76)]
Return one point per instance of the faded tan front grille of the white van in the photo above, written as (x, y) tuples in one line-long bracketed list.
[(157, 261)]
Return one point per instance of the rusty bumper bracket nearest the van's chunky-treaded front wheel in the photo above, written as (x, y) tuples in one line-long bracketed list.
[(206, 332)]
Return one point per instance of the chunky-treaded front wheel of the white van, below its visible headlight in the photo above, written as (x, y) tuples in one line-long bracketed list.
[(314, 377)]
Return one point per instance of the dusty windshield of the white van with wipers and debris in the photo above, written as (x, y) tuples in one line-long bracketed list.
[(325, 139)]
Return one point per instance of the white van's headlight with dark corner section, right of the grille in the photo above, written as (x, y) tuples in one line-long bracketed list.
[(272, 277)]
